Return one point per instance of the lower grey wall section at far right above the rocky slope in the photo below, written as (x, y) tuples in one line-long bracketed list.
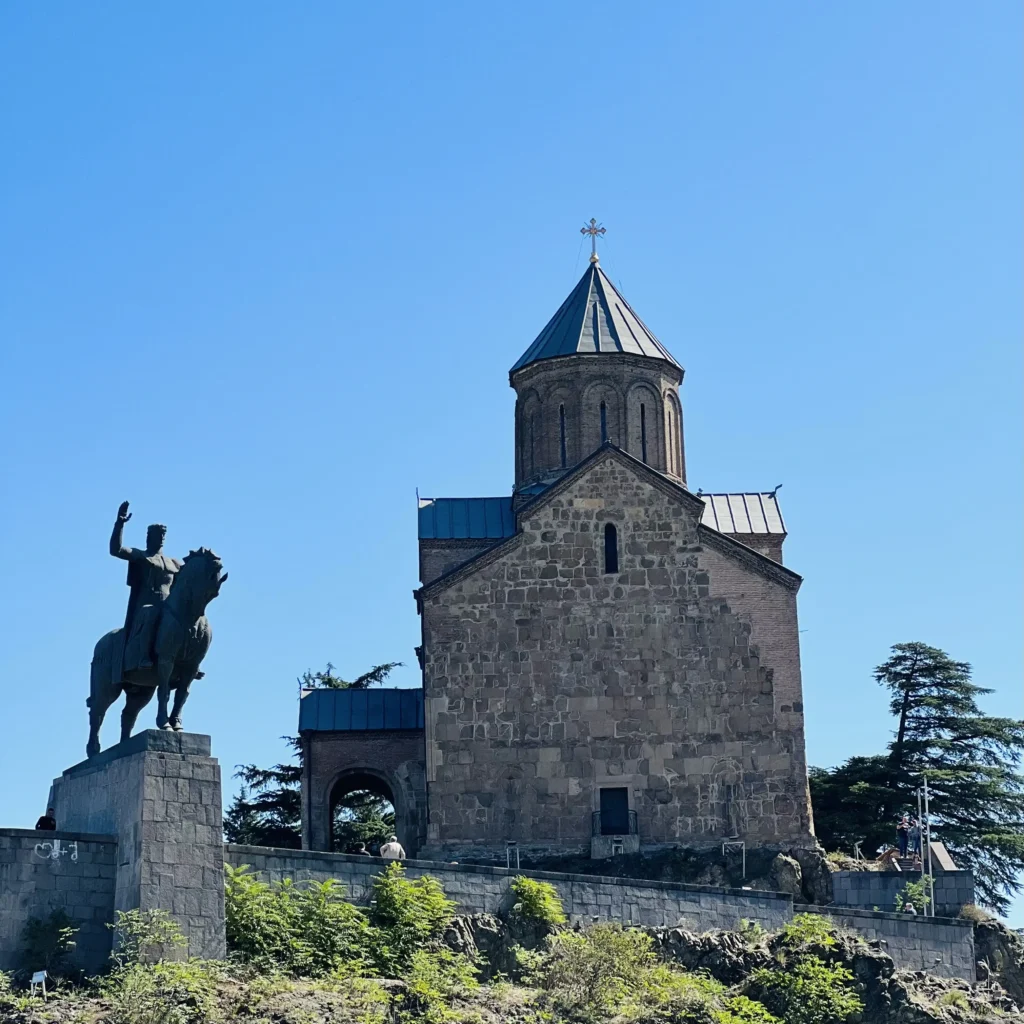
[(938, 946)]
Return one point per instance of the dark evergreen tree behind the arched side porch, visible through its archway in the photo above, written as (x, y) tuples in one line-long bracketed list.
[(268, 810)]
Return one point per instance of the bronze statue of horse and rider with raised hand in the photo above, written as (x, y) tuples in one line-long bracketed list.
[(165, 637)]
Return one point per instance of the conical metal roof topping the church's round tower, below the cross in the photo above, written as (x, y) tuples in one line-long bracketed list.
[(594, 319)]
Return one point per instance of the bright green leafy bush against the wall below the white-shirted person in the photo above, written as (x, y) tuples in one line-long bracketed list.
[(406, 916)]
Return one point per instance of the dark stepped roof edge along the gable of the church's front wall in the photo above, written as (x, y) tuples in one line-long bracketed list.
[(753, 560)]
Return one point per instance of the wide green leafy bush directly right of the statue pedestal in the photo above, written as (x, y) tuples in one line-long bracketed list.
[(306, 930)]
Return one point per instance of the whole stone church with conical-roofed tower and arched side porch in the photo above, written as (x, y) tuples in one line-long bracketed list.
[(611, 662)]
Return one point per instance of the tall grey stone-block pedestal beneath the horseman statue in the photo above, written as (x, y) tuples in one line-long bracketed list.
[(160, 794)]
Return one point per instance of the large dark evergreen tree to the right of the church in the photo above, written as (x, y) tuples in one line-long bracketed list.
[(971, 762)]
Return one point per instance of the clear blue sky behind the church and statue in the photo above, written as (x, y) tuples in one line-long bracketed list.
[(266, 269)]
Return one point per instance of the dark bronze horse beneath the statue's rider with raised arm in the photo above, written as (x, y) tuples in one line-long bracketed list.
[(183, 638)]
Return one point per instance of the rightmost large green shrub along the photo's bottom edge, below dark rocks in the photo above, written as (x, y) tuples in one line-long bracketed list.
[(807, 992)]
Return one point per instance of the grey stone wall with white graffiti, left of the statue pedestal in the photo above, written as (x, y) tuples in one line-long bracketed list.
[(41, 873)]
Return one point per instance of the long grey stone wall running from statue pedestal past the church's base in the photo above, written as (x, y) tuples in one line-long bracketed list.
[(486, 890)]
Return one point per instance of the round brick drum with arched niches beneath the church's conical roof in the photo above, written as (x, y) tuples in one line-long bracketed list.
[(579, 385)]
